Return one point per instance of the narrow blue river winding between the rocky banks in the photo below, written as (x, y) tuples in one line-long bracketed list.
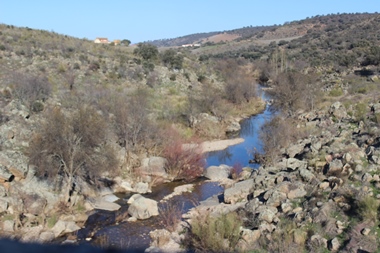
[(135, 235)]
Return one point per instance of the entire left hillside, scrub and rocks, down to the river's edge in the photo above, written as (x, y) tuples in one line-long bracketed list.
[(79, 118)]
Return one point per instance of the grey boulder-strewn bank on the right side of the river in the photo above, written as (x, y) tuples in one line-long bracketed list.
[(322, 195)]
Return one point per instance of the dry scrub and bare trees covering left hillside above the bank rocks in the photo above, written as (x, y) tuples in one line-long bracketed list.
[(88, 103)]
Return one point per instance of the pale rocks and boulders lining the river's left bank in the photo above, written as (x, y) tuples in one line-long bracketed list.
[(33, 211)]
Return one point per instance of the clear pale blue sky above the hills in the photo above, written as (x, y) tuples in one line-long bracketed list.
[(143, 20)]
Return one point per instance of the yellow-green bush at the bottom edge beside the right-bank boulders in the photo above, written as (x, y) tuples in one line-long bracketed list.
[(214, 234)]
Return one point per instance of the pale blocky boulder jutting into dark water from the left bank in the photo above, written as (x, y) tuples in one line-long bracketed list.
[(142, 208)]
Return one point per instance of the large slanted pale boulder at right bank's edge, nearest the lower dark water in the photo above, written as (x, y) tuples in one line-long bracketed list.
[(239, 191)]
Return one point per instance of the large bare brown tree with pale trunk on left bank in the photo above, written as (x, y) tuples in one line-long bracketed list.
[(72, 145)]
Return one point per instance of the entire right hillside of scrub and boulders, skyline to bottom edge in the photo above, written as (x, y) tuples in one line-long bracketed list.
[(323, 76)]
